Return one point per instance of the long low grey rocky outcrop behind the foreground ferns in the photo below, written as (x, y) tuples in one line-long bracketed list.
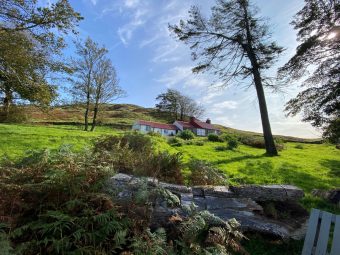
[(244, 203)]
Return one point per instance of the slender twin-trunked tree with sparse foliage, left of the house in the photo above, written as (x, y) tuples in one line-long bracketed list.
[(94, 78)]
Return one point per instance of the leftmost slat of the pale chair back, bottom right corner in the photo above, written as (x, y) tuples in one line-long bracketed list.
[(311, 232)]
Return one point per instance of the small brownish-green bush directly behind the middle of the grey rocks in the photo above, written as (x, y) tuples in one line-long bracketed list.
[(203, 173)]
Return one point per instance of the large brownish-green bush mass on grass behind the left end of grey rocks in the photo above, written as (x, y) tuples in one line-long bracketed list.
[(133, 153)]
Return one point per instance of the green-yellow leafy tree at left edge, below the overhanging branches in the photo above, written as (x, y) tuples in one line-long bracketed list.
[(23, 68)]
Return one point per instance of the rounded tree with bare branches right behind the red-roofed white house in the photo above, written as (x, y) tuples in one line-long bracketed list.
[(178, 105)]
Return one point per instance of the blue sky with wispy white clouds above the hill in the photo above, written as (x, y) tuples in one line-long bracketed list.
[(148, 59)]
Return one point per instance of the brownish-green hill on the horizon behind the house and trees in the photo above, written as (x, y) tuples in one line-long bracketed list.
[(122, 116)]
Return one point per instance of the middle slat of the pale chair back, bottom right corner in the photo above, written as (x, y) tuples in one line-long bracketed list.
[(326, 220)]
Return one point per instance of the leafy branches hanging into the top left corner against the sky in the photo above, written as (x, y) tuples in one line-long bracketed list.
[(38, 21)]
